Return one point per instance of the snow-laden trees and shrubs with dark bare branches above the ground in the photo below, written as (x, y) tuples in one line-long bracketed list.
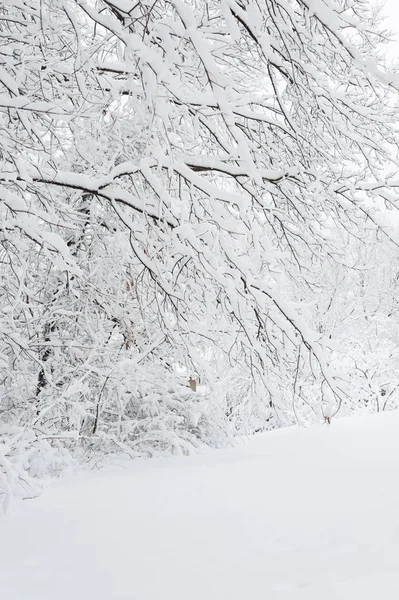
[(198, 225)]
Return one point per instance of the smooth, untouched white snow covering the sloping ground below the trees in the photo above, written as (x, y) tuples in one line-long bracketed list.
[(296, 514)]
